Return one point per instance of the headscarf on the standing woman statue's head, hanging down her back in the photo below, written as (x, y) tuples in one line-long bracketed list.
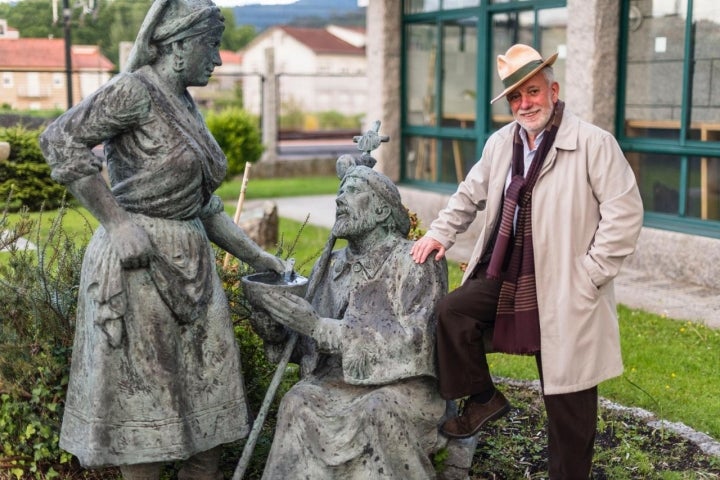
[(168, 21)]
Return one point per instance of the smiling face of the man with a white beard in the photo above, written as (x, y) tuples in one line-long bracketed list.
[(532, 103)]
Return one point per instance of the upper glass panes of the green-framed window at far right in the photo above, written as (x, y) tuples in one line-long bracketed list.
[(655, 67)]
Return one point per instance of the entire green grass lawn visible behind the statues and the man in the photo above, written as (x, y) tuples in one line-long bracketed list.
[(671, 365)]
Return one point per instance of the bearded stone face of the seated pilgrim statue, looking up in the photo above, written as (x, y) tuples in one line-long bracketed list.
[(354, 215)]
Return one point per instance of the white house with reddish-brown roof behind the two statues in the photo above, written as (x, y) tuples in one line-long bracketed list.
[(319, 69)]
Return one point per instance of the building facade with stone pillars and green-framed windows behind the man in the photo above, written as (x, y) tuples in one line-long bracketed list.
[(647, 70)]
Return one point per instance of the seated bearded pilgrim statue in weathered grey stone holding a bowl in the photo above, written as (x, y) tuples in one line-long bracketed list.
[(367, 406)]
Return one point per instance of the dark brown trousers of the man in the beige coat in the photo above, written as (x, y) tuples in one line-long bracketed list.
[(463, 315)]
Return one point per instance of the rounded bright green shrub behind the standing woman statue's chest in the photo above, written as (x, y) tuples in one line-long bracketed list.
[(237, 133)]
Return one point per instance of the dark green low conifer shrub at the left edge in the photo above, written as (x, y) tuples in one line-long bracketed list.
[(26, 173)]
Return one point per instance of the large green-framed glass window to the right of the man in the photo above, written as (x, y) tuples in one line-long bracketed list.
[(672, 104)]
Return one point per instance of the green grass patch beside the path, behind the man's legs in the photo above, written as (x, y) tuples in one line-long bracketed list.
[(670, 369)]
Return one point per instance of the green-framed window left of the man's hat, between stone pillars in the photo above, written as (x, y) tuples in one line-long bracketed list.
[(443, 37)]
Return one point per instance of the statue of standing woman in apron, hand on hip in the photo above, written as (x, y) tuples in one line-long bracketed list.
[(155, 373)]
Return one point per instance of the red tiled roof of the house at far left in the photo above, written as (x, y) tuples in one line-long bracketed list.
[(49, 54)]
